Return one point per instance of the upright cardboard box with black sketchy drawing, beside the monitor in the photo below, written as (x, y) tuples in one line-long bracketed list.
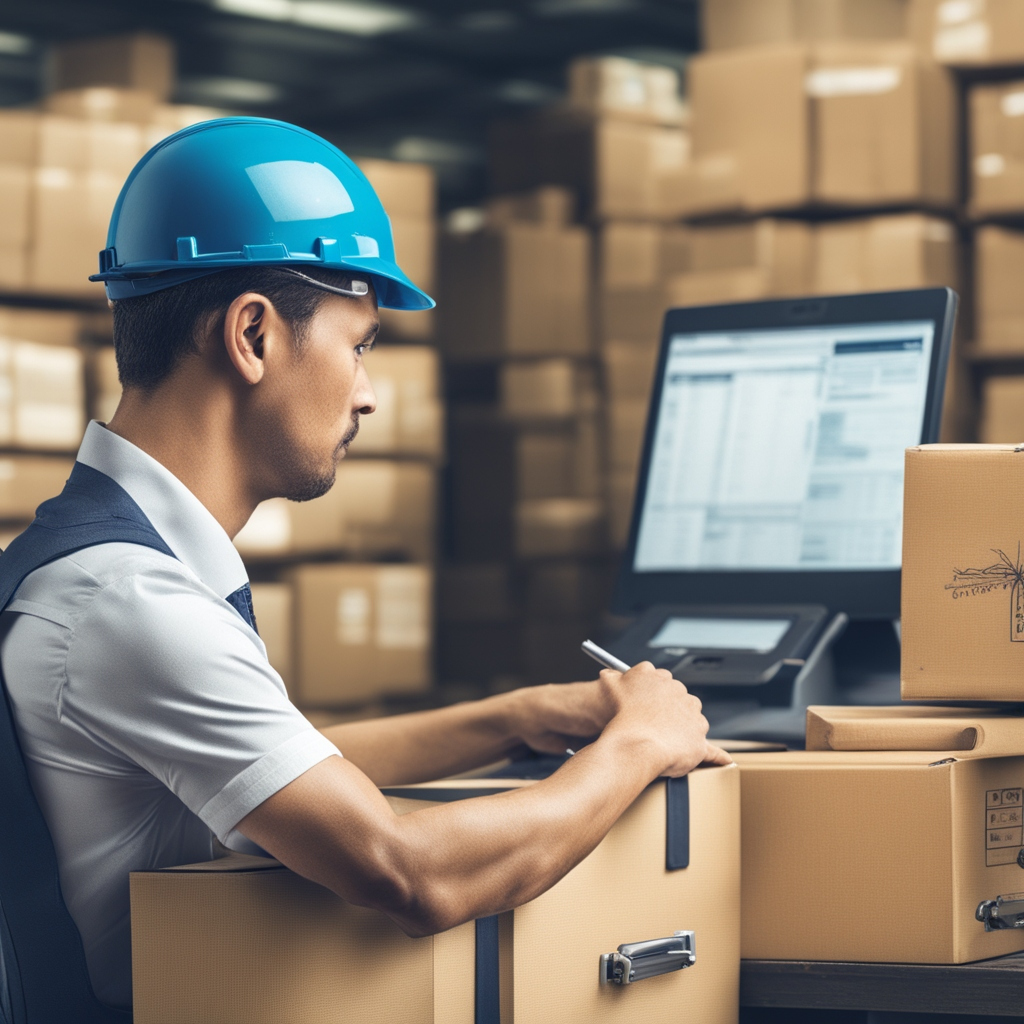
[(963, 604)]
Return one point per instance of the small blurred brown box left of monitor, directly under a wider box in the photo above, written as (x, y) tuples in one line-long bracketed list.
[(547, 390)]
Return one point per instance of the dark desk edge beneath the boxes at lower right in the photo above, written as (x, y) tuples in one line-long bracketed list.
[(990, 988)]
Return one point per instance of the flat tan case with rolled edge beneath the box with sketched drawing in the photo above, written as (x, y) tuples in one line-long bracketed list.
[(970, 733)]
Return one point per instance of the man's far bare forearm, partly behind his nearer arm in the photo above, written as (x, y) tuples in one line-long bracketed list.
[(425, 746)]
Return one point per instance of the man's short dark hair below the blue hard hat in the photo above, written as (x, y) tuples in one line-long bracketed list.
[(153, 332)]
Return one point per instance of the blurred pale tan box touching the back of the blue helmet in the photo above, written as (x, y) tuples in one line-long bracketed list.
[(71, 215)]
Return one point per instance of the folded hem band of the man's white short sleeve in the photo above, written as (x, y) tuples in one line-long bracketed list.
[(264, 779)]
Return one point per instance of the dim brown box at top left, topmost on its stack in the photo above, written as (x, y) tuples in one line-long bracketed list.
[(136, 61)]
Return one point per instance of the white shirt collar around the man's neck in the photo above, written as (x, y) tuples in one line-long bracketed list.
[(182, 520)]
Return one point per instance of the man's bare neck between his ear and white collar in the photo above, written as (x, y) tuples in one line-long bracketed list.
[(197, 442)]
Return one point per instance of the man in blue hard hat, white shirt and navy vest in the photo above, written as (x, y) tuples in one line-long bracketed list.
[(246, 263)]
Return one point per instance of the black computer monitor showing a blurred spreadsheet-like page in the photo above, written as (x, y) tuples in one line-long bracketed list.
[(773, 467)]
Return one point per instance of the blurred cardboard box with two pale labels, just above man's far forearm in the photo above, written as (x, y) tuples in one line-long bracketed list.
[(361, 632)]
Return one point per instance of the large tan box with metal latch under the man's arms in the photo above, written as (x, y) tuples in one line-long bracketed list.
[(244, 942)]
